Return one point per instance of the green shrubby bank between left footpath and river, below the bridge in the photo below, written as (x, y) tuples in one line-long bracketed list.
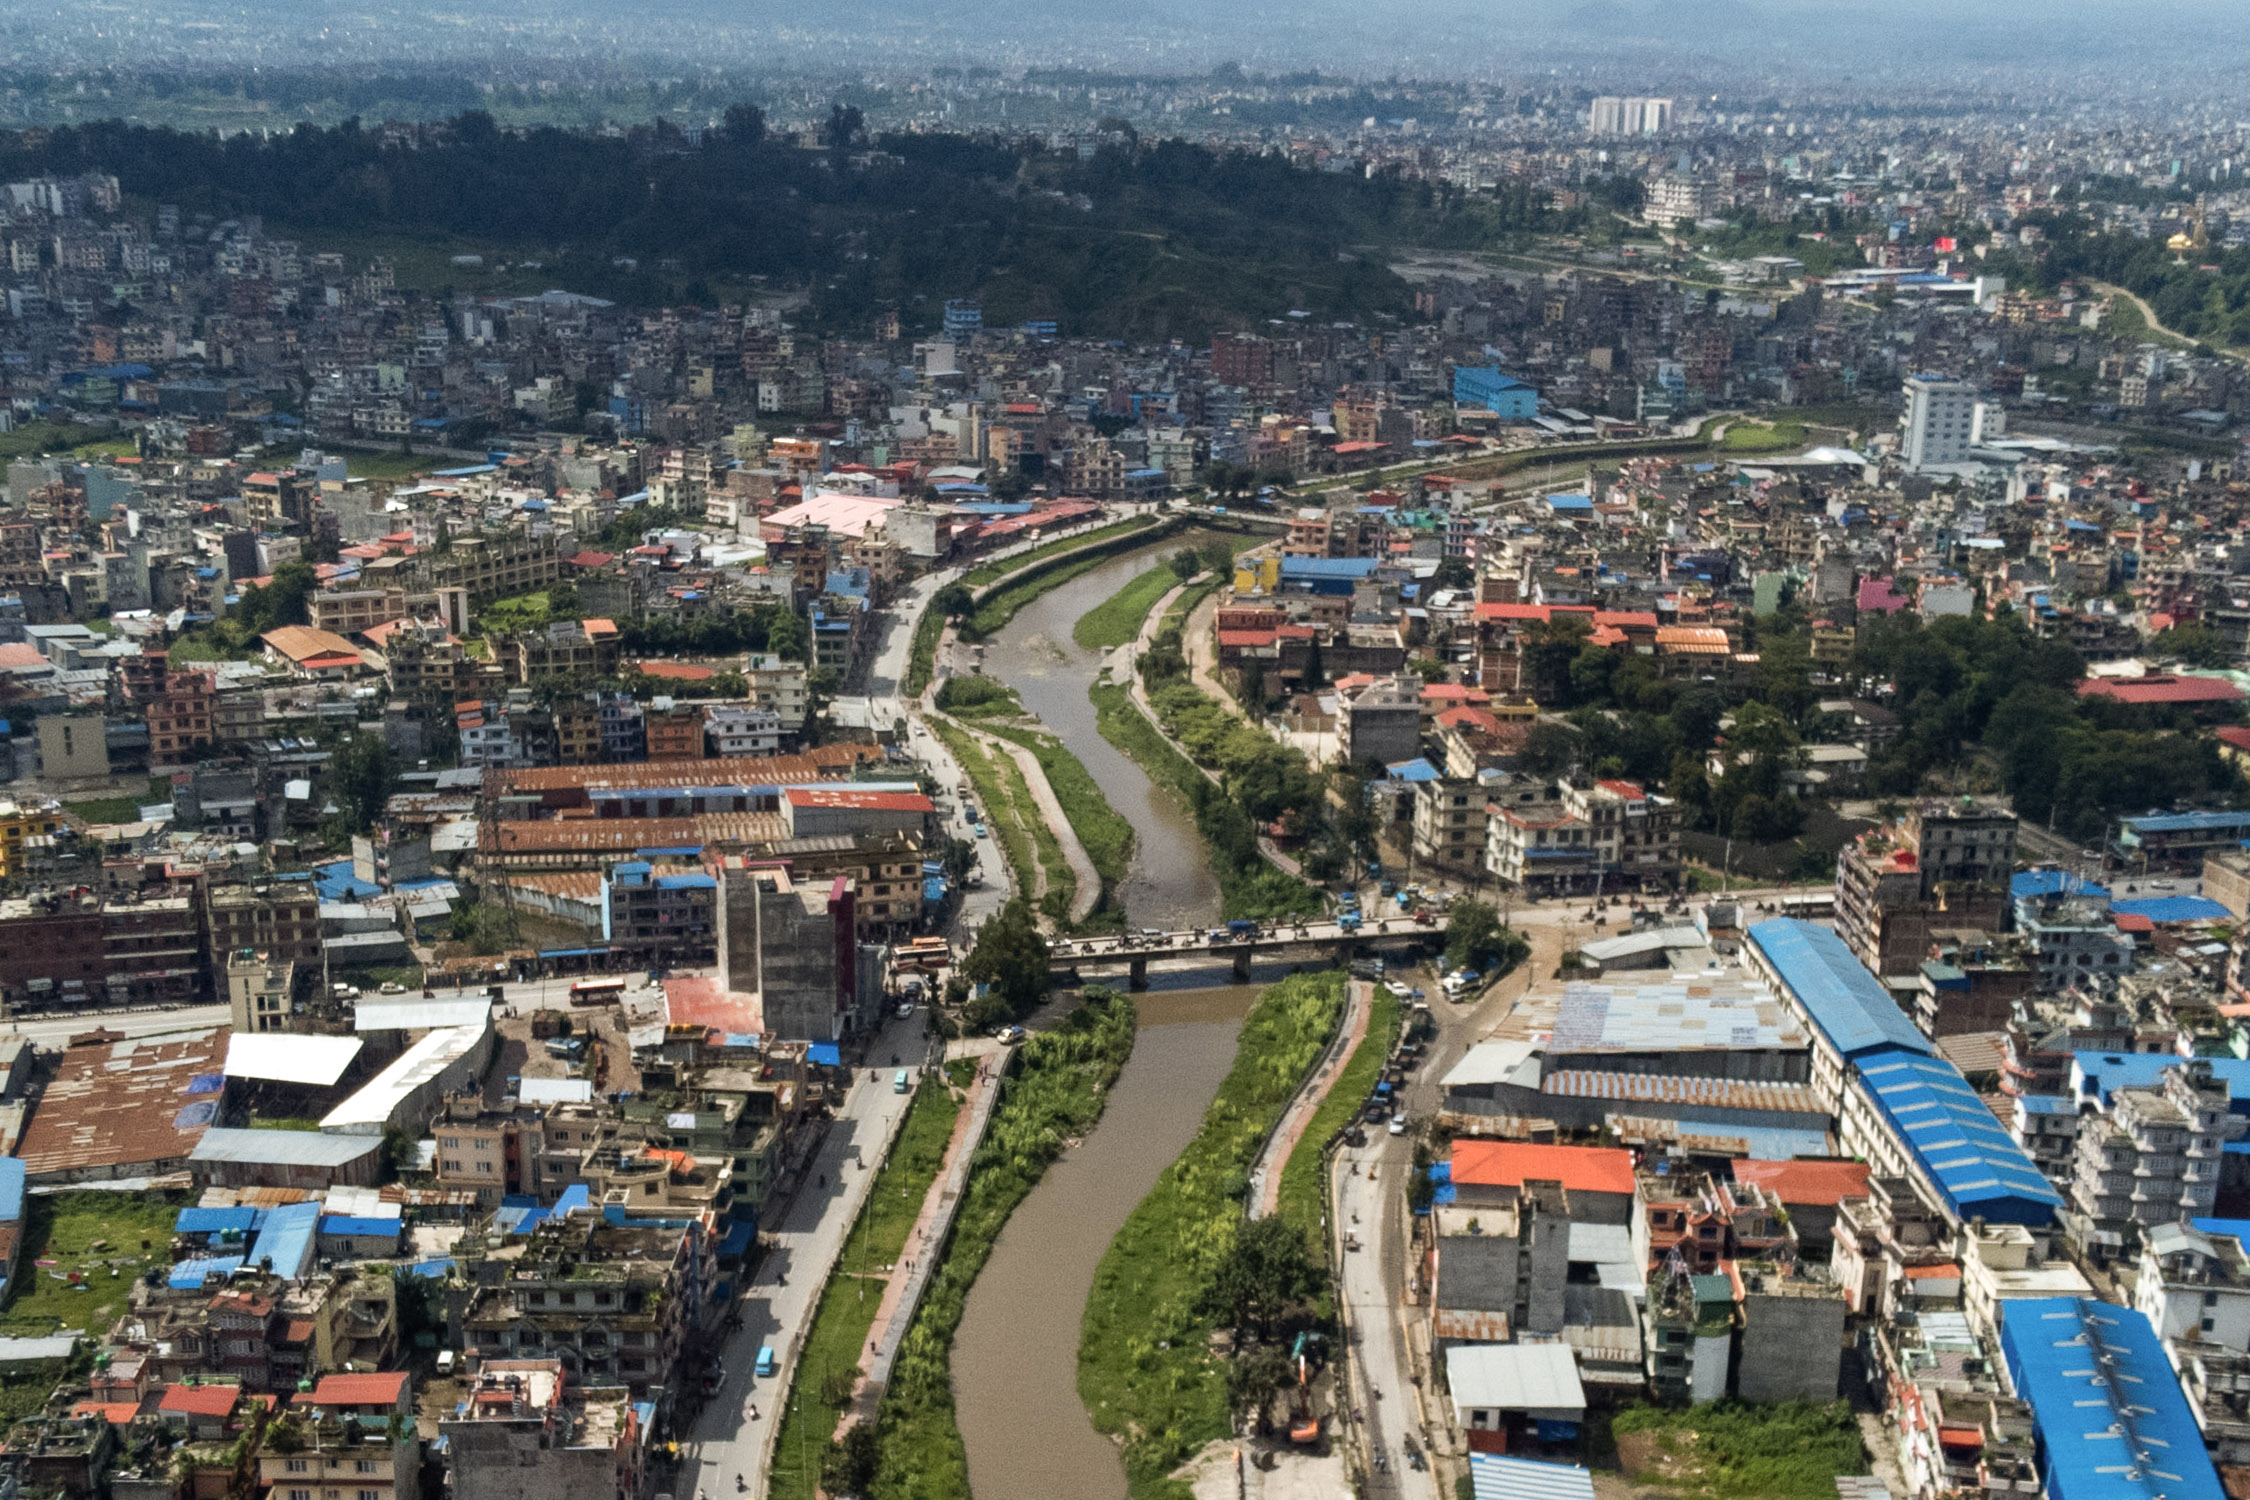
[(1056, 1092)]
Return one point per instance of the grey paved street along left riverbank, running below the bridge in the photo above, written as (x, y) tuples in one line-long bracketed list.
[(777, 1308)]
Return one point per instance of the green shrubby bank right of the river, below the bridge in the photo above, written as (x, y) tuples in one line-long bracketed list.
[(1144, 1359)]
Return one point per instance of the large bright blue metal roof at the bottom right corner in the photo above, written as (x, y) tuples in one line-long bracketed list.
[(2109, 1411)]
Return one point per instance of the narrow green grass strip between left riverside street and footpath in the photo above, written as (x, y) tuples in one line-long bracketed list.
[(847, 1312)]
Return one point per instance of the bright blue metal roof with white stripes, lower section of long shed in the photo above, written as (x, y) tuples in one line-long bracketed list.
[(1963, 1153)]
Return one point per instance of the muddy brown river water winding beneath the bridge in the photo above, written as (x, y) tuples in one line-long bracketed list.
[(1016, 1359)]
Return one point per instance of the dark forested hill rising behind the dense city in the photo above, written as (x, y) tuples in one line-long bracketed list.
[(1144, 240)]
